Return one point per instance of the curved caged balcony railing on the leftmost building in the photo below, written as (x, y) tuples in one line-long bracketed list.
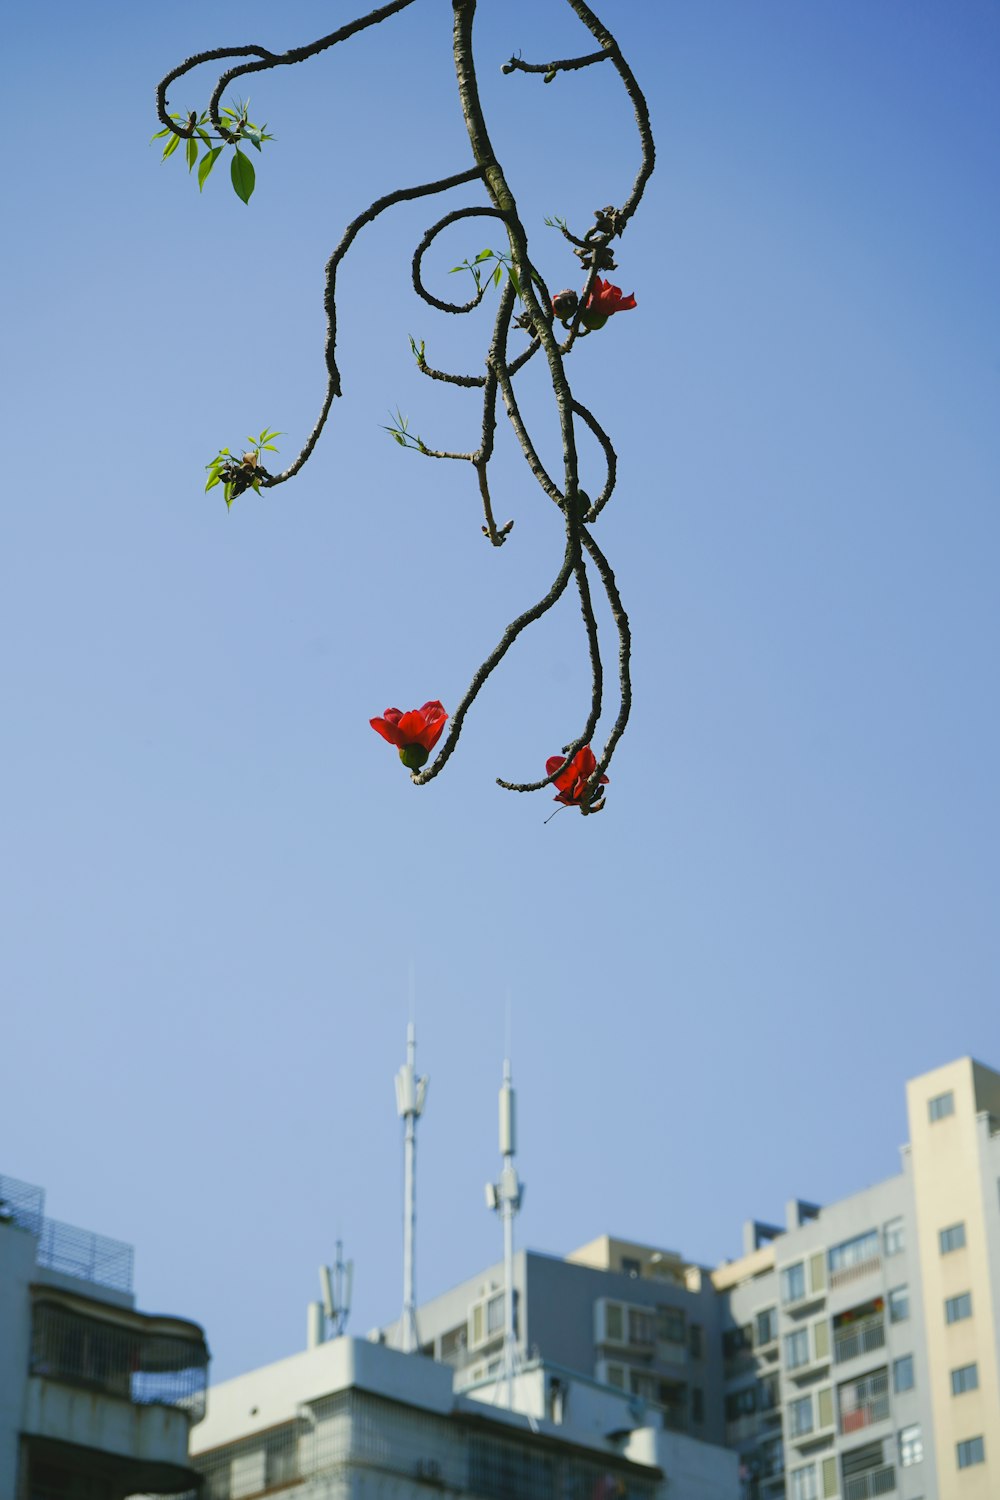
[(151, 1366)]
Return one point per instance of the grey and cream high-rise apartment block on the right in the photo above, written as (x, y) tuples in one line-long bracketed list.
[(851, 1352)]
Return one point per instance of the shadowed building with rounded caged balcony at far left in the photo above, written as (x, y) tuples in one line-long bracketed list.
[(97, 1400)]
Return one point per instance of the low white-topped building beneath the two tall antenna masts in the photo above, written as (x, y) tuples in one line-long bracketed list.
[(358, 1420)]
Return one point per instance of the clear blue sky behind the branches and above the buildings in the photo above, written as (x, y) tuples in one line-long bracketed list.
[(215, 877)]
